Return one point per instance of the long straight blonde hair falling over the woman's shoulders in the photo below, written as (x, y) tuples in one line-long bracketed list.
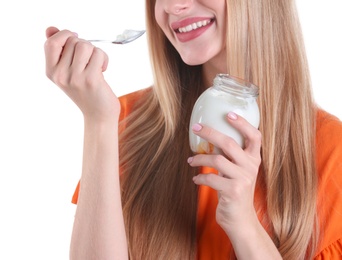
[(264, 45)]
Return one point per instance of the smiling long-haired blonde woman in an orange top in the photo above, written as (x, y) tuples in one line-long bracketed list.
[(279, 197)]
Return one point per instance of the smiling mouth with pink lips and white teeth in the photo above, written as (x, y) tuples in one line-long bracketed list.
[(190, 28)]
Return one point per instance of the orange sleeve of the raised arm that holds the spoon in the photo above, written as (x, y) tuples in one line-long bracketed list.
[(127, 102)]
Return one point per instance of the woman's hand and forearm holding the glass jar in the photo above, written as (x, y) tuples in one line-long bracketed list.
[(235, 184)]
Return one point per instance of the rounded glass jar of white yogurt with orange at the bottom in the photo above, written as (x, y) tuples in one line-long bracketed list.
[(228, 94)]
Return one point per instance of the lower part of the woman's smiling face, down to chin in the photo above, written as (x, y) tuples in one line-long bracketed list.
[(196, 28)]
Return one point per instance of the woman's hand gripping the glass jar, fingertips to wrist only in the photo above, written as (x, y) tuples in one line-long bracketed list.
[(238, 169)]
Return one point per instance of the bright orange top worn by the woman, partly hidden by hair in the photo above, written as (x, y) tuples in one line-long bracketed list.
[(214, 244)]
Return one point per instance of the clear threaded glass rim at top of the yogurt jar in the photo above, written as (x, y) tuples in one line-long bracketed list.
[(236, 84)]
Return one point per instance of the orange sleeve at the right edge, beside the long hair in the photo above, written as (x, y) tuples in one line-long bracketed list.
[(329, 167)]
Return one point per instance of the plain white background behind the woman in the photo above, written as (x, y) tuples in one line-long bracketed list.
[(41, 130)]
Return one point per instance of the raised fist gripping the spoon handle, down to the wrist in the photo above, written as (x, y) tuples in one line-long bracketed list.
[(77, 67)]
